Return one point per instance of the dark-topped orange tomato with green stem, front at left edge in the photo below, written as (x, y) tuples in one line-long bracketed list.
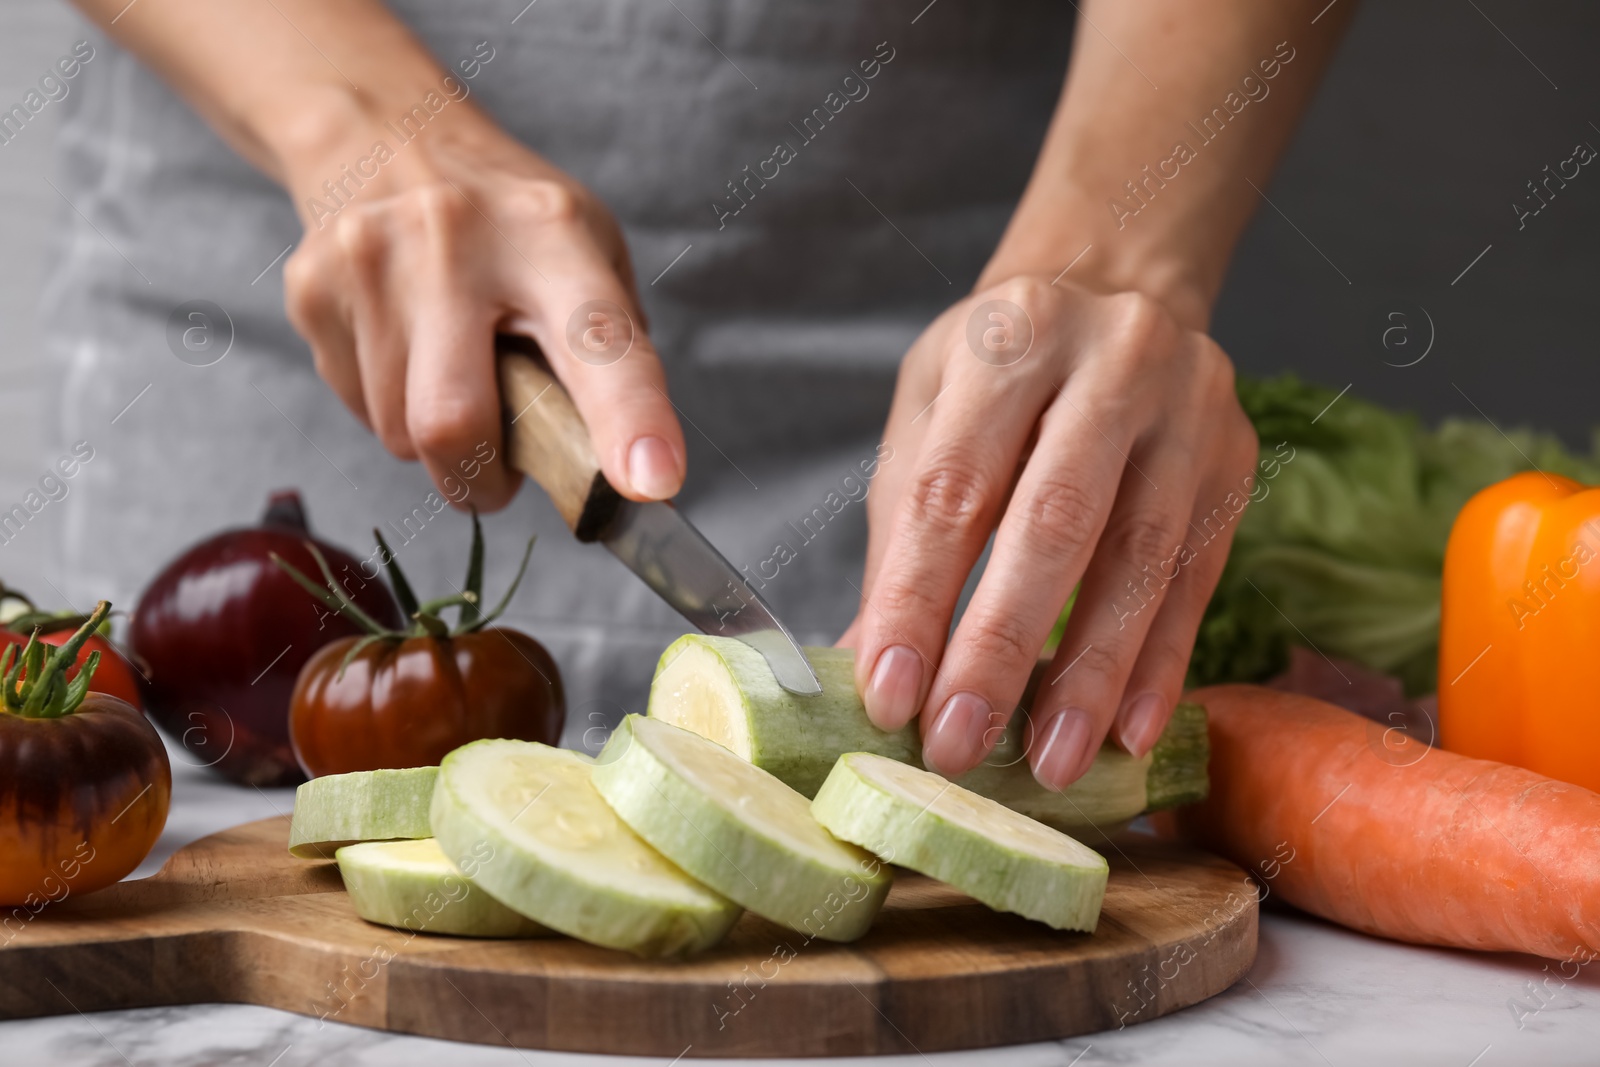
[(86, 786)]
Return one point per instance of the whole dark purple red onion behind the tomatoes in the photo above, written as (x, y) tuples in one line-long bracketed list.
[(223, 633)]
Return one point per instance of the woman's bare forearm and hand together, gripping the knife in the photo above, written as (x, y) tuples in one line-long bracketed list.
[(422, 252)]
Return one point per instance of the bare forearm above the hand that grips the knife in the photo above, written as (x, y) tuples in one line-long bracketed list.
[(289, 84)]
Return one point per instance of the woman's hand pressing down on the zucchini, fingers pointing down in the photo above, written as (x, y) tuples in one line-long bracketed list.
[(1100, 442)]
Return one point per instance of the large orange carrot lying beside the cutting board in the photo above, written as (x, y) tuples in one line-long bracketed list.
[(1398, 841)]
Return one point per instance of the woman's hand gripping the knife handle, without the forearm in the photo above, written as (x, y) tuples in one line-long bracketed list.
[(417, 254)]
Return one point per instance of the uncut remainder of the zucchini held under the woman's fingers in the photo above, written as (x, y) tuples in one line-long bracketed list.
[(722, 690)]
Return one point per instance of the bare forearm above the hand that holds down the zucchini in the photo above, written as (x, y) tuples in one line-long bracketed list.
[(1170, 111)]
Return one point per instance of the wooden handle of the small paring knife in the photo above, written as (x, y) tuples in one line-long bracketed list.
[(546, 439)]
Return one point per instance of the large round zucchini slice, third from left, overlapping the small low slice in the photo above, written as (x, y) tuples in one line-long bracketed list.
[(561, 857)]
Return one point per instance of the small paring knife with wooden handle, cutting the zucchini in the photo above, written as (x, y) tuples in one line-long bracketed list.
[(548, 441)]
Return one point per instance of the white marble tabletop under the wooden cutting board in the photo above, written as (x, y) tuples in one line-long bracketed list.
[(1318, 996)]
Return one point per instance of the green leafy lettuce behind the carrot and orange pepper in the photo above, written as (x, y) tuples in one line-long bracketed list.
[(1345, 545)]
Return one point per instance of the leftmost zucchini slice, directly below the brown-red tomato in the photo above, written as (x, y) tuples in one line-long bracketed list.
[(342, 810)]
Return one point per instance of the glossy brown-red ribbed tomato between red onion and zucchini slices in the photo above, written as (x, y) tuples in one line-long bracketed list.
[(409, 701)]
